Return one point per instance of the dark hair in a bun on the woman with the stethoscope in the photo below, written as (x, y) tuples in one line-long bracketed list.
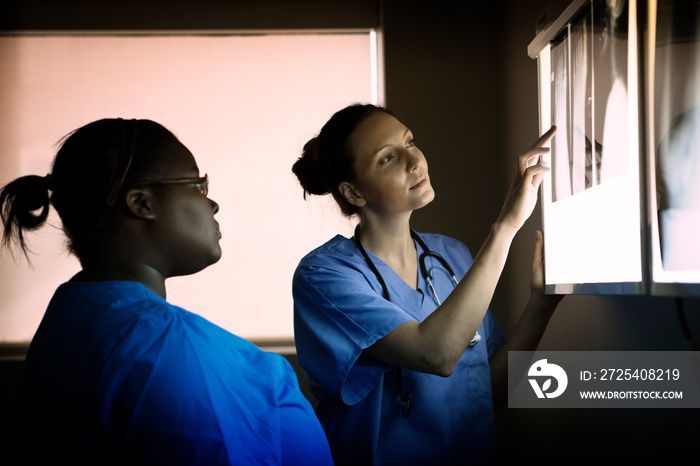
[(327, 160)]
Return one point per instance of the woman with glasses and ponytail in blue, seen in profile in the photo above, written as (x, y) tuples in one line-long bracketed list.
[(115, 374)]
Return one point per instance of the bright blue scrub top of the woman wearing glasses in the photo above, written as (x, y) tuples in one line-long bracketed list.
[(117, 375)]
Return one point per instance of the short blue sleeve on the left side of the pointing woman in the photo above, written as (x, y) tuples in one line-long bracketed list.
[(338, 312)]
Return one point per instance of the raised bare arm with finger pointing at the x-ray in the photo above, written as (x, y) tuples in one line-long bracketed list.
[(436, 344)]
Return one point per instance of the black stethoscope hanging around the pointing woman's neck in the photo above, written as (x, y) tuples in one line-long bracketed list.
[(405, 400)]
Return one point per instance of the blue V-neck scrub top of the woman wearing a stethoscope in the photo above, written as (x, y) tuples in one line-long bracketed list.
[(339, 311)]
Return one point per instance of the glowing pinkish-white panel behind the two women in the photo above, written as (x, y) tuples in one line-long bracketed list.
[(244, 104)]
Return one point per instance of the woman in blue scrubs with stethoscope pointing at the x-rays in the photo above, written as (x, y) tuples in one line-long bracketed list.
[(405, 375)]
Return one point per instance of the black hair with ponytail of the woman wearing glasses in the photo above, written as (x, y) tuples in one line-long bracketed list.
[(84, 172)]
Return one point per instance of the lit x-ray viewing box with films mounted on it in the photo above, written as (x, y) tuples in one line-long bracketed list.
[(621, 205)]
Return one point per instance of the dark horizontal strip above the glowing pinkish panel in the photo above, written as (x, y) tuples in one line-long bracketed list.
[(186, 14)]
